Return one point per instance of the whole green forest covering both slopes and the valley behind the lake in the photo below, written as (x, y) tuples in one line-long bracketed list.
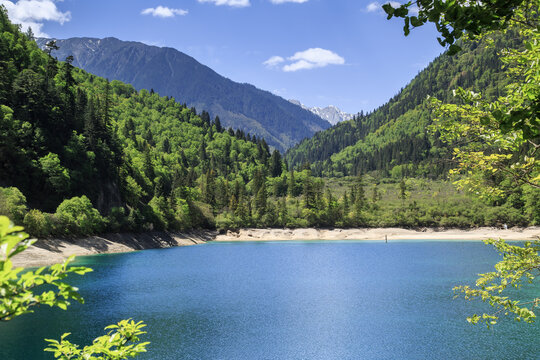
[(80, 155)]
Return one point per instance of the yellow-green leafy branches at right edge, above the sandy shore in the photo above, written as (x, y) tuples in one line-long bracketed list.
[(498, 141)]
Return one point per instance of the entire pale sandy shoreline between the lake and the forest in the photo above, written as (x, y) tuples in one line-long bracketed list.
[(51, 251)]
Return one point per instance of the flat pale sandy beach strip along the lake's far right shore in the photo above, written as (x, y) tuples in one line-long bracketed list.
[(530, 233)]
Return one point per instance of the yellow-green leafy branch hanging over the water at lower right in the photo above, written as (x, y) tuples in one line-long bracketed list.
[(520, 264)]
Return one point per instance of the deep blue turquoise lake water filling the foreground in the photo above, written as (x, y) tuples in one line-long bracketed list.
[(286, 300)]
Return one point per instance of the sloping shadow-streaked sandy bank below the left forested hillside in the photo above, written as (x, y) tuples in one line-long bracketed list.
[(51, 251)]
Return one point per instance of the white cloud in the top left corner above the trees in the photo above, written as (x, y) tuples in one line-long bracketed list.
[(32, 13)]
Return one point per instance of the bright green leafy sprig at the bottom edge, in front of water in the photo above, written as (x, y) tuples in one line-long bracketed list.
[(121, 342)]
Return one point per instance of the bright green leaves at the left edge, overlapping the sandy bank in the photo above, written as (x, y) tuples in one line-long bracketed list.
[(18, 288)]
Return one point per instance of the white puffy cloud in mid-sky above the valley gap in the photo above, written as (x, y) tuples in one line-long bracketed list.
[(305, 60)]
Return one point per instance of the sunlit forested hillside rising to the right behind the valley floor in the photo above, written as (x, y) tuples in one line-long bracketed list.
[(394, 137)]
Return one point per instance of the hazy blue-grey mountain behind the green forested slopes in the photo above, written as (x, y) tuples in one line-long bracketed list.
[(173, 73)]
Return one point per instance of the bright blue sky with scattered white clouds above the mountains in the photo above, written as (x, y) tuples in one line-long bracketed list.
[(320, 52)]
